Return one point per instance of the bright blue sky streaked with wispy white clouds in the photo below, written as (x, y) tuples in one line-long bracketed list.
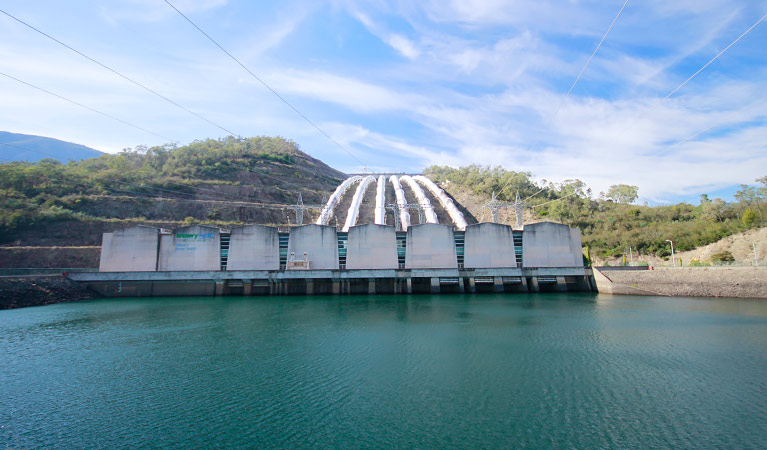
[(405, 84)]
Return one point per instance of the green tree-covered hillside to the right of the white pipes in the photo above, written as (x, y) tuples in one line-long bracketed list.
[(610, 222)]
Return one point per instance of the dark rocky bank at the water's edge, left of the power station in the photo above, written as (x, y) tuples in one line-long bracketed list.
[(38, 290)]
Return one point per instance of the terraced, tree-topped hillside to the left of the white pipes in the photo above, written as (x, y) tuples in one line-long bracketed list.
[(225, 181)]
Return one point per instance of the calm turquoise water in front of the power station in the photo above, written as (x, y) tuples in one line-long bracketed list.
[(476, 371)]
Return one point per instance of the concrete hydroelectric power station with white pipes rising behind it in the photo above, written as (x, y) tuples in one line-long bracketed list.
[(407, 255)]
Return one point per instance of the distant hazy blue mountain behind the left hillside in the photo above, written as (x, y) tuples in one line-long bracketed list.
[(25, 147)]
